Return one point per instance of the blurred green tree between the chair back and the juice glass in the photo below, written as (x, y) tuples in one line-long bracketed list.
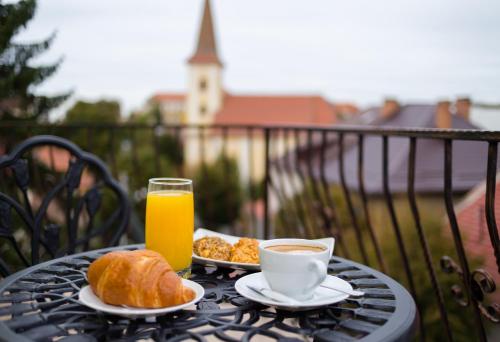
[(134, 155)]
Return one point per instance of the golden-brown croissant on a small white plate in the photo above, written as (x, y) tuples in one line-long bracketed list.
[(140, 278)]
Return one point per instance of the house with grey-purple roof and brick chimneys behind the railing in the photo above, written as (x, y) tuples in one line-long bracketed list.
[(469, 158)]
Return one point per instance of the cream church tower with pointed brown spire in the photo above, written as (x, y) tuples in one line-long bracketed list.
[(204, 91)]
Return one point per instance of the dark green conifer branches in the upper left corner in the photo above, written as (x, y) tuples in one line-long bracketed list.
[(17, 76)]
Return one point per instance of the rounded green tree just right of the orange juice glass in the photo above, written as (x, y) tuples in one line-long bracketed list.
[(218, 192)]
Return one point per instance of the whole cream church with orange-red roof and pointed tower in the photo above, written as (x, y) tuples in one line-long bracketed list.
[(206, 101)]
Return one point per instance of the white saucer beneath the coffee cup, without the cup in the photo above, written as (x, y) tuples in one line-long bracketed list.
[(321, 297)]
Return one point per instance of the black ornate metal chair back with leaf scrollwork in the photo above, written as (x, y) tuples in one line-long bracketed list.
[(36, 208)]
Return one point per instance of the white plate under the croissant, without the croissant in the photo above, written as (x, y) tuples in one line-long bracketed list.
[(88, 298)]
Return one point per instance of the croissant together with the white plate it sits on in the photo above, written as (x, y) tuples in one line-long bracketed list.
[(137, 284)]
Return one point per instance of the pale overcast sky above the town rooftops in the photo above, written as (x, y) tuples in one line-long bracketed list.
[(360, 51)]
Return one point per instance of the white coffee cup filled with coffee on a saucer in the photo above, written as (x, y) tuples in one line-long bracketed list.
[(295, 274)]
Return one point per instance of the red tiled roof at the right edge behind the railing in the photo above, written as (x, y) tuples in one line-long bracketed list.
[(474, 229)]
